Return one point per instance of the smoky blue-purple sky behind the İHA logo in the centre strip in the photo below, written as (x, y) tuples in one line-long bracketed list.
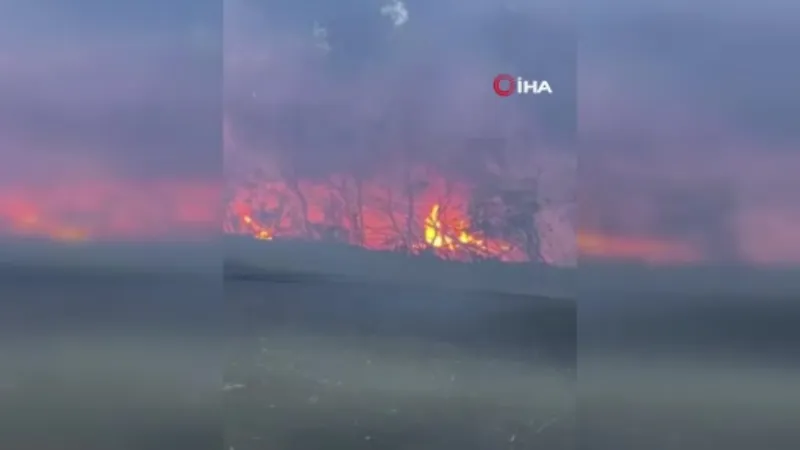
[(336, 96)]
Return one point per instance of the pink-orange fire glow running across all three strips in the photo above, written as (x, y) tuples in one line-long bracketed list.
[(368, 214)]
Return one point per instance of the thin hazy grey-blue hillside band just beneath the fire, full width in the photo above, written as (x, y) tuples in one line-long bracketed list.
[(246, 257)]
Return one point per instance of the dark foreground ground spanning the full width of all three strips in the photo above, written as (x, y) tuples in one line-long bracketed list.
[(119, 361)]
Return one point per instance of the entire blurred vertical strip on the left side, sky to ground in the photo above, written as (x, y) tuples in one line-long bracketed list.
[(110, 287)]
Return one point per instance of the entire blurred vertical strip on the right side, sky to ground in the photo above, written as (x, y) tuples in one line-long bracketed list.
[(689, 253)]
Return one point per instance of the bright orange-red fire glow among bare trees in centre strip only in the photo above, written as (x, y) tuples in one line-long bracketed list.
[(366, 213)]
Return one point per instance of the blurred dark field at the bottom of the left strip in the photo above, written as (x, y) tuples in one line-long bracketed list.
[(109, 360)]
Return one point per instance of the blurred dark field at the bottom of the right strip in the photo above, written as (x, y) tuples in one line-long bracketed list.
[(689, 372)]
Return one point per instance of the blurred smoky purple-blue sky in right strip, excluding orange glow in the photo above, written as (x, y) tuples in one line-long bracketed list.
[(686, 120)]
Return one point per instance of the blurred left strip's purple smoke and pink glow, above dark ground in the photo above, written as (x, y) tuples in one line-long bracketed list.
[(109, 119)]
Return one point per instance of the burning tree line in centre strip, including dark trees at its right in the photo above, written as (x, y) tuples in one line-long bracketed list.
[(416, 209)]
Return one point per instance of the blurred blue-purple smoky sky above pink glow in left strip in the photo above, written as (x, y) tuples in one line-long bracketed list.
[(130, 89)]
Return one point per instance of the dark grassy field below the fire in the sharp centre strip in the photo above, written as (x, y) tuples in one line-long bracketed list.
[(329, 364)]
